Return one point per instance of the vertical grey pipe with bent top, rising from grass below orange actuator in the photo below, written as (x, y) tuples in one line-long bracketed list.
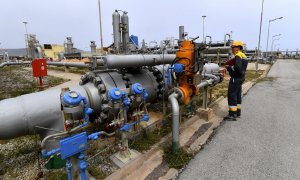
[(175, 121)]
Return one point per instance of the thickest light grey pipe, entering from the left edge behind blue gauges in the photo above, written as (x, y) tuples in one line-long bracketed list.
[(21, 115)]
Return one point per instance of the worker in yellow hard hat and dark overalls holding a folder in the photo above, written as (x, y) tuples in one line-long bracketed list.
[(237, 68)]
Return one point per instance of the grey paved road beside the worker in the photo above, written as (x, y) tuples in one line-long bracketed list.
[(265, 142)]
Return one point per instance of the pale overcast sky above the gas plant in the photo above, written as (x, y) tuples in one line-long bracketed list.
[(153, 20)]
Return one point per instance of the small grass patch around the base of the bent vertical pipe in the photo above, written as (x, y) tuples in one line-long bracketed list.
[(177, 160)]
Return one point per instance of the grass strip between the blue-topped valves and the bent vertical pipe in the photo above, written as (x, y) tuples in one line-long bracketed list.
[(148, 139)]
